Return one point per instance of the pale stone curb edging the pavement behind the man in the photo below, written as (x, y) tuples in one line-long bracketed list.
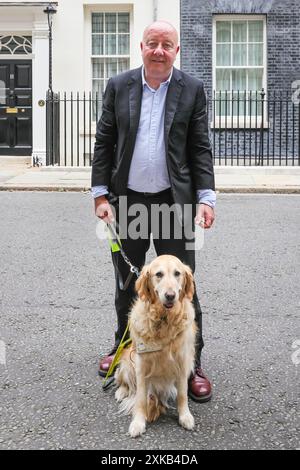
[(220, 189)]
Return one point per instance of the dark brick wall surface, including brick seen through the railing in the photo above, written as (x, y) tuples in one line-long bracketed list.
[(283, 66)]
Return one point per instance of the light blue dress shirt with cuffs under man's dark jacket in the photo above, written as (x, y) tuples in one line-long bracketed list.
[(148, 171)]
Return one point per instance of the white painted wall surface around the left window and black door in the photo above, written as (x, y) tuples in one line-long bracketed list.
[(72, 45)]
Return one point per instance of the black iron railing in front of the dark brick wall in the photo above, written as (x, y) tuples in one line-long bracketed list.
[(254, 128)]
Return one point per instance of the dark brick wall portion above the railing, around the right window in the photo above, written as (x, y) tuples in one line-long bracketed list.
[(283, 37)]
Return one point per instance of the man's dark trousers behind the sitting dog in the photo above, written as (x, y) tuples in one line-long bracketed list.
[(136, 250)]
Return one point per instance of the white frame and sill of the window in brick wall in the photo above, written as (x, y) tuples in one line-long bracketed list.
[(239, 121)]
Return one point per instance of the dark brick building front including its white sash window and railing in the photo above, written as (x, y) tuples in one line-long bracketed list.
[(247, 52)]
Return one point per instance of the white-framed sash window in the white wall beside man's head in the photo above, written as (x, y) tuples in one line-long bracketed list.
[(110, 47)]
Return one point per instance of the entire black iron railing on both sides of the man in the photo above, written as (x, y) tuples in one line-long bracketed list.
[(246, 128)]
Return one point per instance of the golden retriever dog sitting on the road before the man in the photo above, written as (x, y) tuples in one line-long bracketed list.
[(158, 363)]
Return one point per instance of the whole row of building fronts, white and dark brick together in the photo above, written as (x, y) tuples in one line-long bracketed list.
[(247, 52)]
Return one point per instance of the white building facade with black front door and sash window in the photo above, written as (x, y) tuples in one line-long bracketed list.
[(92, 40)]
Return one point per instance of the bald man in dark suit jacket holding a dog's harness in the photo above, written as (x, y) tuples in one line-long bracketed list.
[(152, 146)]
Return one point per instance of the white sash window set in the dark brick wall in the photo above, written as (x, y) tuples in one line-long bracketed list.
[(239, 59)]
